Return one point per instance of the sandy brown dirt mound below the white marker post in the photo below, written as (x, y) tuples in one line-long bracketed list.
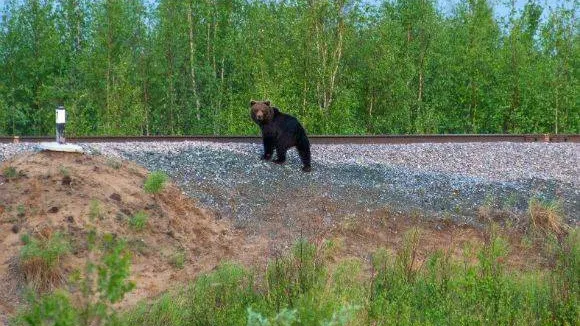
[(51, 192)]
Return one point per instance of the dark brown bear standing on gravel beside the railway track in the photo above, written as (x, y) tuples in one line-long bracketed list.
[(280, 131)]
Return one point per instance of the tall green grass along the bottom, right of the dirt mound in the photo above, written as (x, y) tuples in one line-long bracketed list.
[(303, 288)]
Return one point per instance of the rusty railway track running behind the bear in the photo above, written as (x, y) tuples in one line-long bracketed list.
[(315, 139)]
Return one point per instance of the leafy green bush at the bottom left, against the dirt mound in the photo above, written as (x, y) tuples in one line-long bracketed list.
[(103, 283)]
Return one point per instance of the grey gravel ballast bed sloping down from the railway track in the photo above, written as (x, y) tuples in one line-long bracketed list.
[(437, 181)]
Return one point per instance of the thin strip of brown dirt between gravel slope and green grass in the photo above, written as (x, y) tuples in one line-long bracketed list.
[(363, 234)]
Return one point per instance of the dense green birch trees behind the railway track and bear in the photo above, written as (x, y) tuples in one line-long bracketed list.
[(341, 66)]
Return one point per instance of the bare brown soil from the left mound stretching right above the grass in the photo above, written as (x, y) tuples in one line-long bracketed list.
[(55, 192)]
